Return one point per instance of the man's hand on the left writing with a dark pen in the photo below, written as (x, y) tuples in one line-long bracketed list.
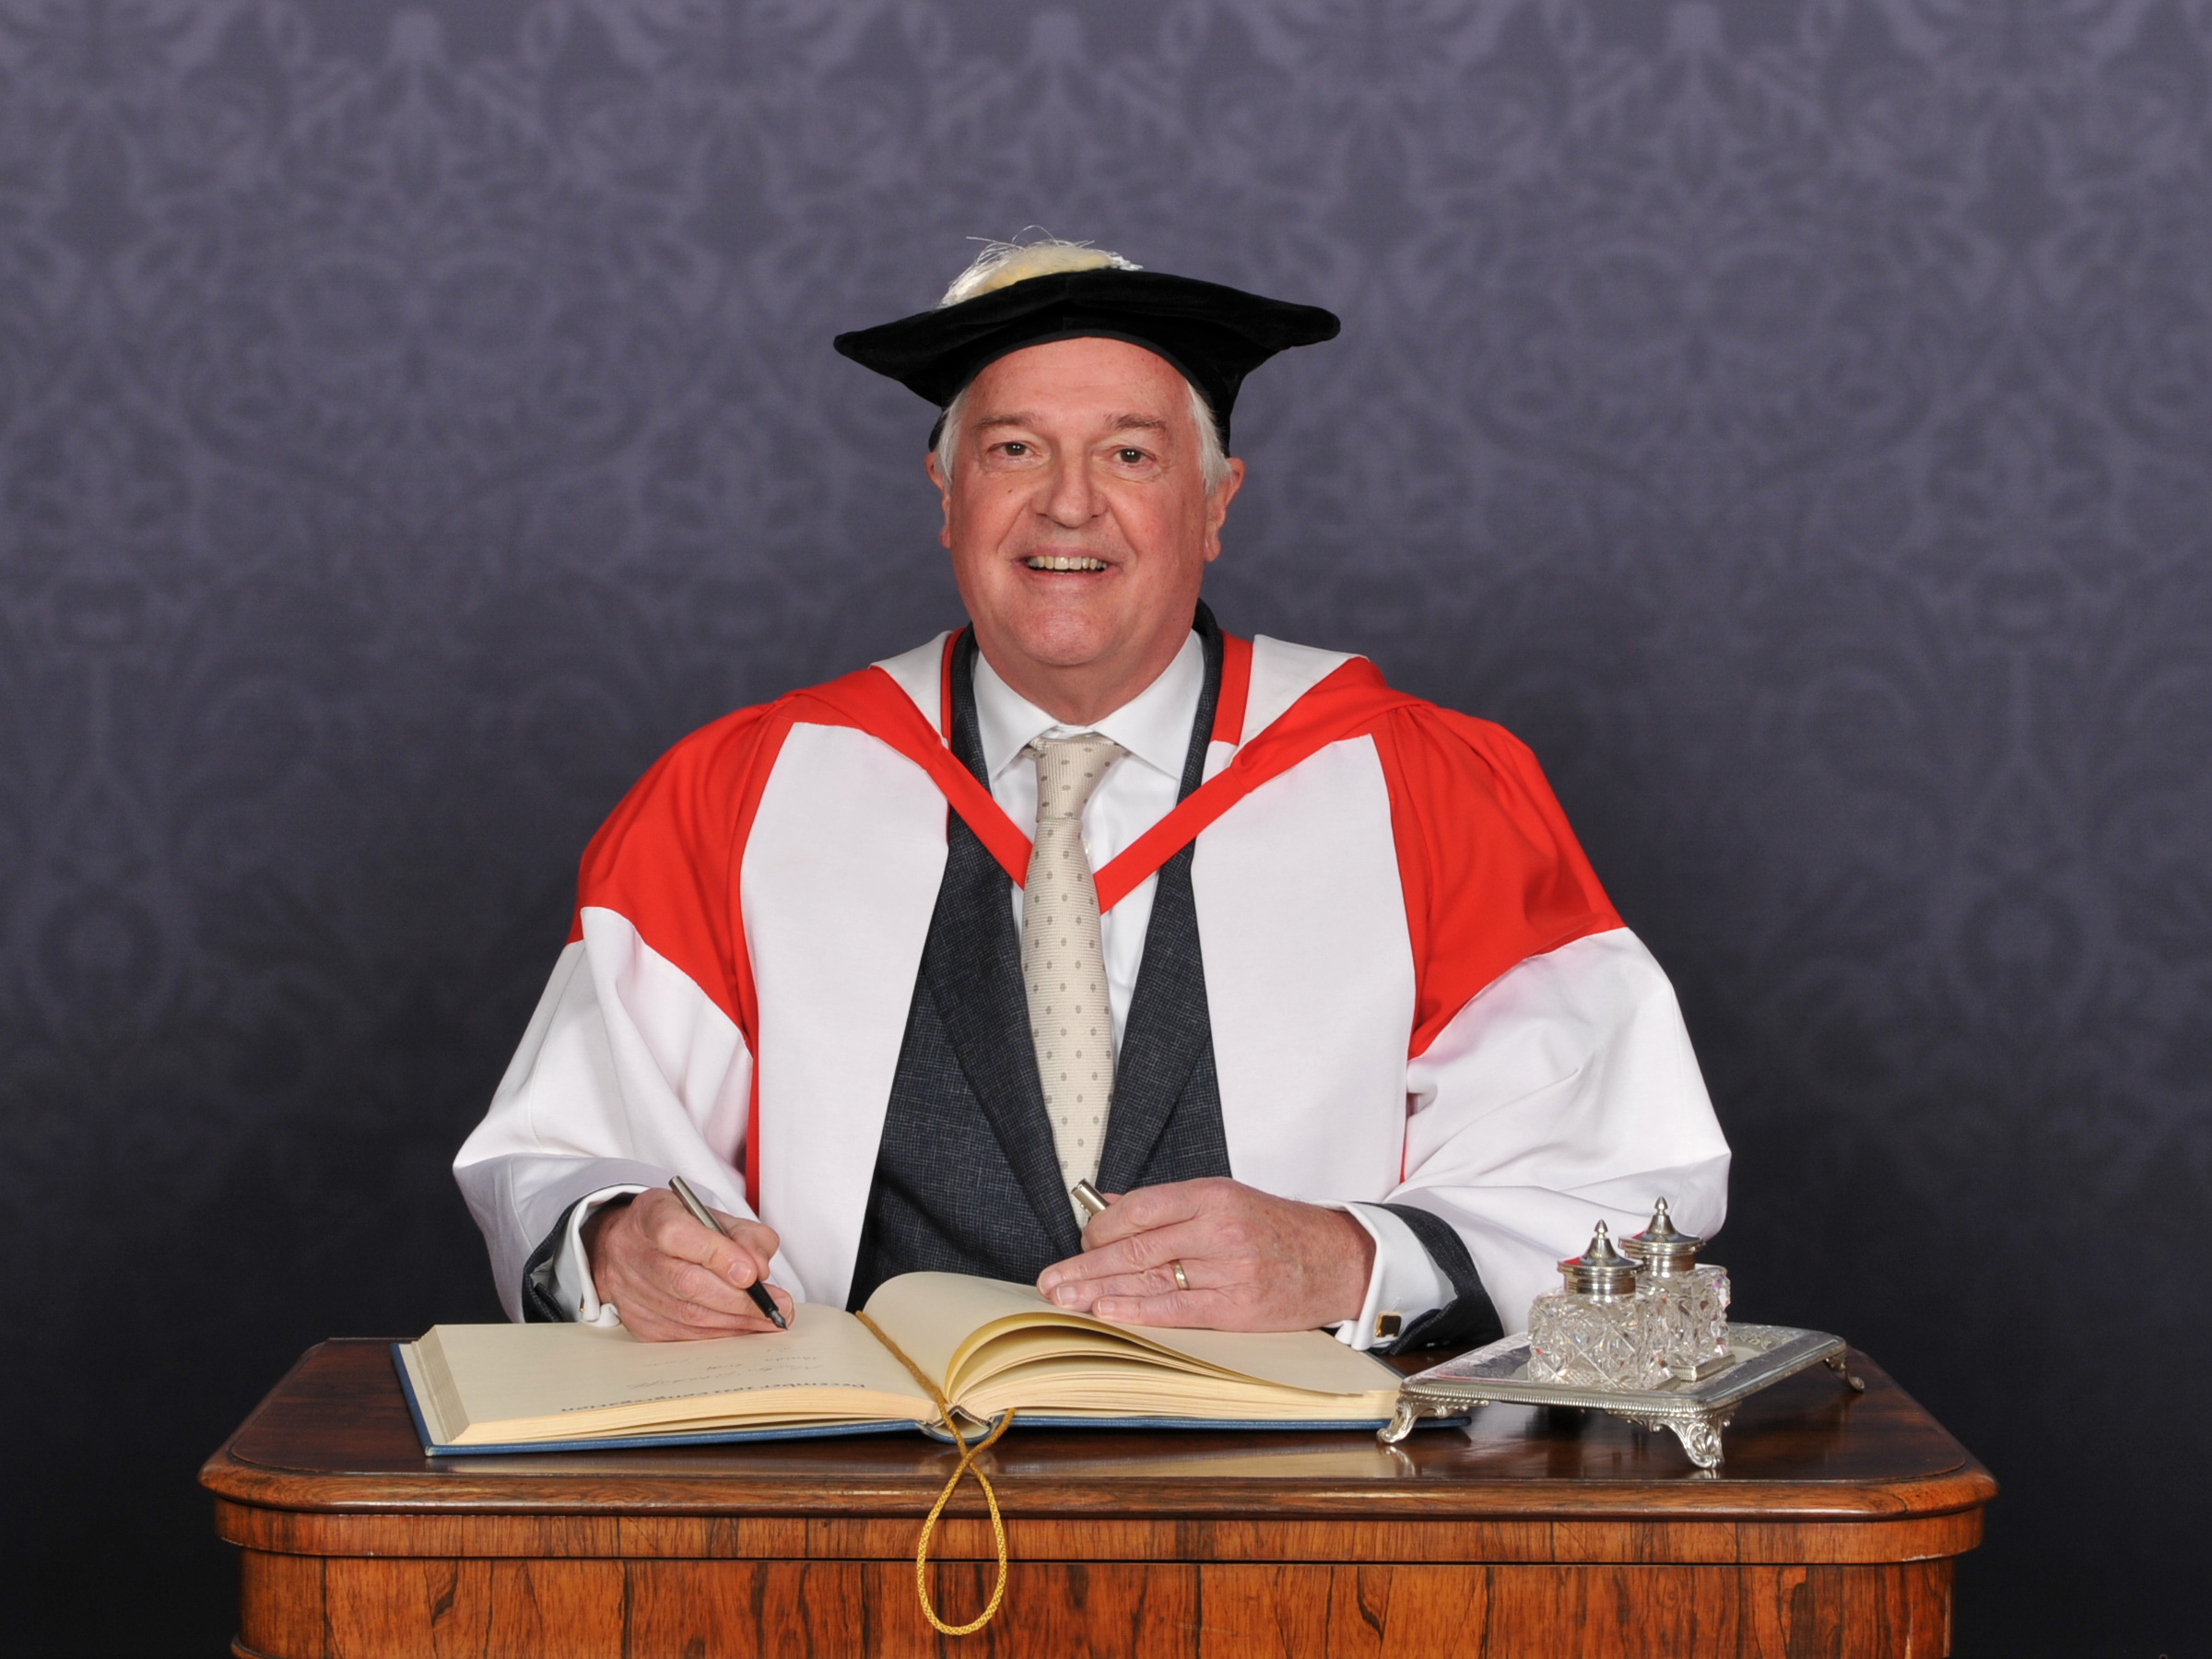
[(674, 1280)]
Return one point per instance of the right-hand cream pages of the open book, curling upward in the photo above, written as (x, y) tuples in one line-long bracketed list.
[(994, 1346)]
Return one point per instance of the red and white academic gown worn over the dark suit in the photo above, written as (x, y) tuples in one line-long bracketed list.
[(1419, 990)]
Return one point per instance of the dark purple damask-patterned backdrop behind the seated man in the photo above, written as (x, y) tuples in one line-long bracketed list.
[(1788, 415)]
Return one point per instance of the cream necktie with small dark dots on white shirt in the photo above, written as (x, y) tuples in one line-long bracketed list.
[(1063, 963)]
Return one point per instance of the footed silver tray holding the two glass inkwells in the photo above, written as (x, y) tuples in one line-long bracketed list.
[(1695, 1412)]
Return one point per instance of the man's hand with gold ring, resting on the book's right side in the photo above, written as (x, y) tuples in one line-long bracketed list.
[(1253, 1262)]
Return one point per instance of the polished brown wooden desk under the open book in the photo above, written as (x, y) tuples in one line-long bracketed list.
[(1830, 1532)]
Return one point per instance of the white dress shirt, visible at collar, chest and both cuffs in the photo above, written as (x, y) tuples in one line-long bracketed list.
[(1136, 793)]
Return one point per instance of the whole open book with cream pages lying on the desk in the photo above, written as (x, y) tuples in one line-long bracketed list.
[(979, 1344)]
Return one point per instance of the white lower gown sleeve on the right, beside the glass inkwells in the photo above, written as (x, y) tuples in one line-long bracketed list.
[(1563, 1094)]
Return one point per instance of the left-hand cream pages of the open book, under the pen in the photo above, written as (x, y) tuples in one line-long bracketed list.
[(512, 1384)]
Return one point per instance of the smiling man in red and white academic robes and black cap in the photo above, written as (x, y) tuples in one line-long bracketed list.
[(1306, 974)]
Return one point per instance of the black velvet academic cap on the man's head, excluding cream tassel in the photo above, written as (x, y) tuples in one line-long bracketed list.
[(1213, 335)]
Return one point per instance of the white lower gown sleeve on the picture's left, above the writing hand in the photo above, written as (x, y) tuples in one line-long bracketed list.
[(627, 1074)]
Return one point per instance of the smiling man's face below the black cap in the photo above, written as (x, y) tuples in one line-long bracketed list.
[(1078, 519)]
